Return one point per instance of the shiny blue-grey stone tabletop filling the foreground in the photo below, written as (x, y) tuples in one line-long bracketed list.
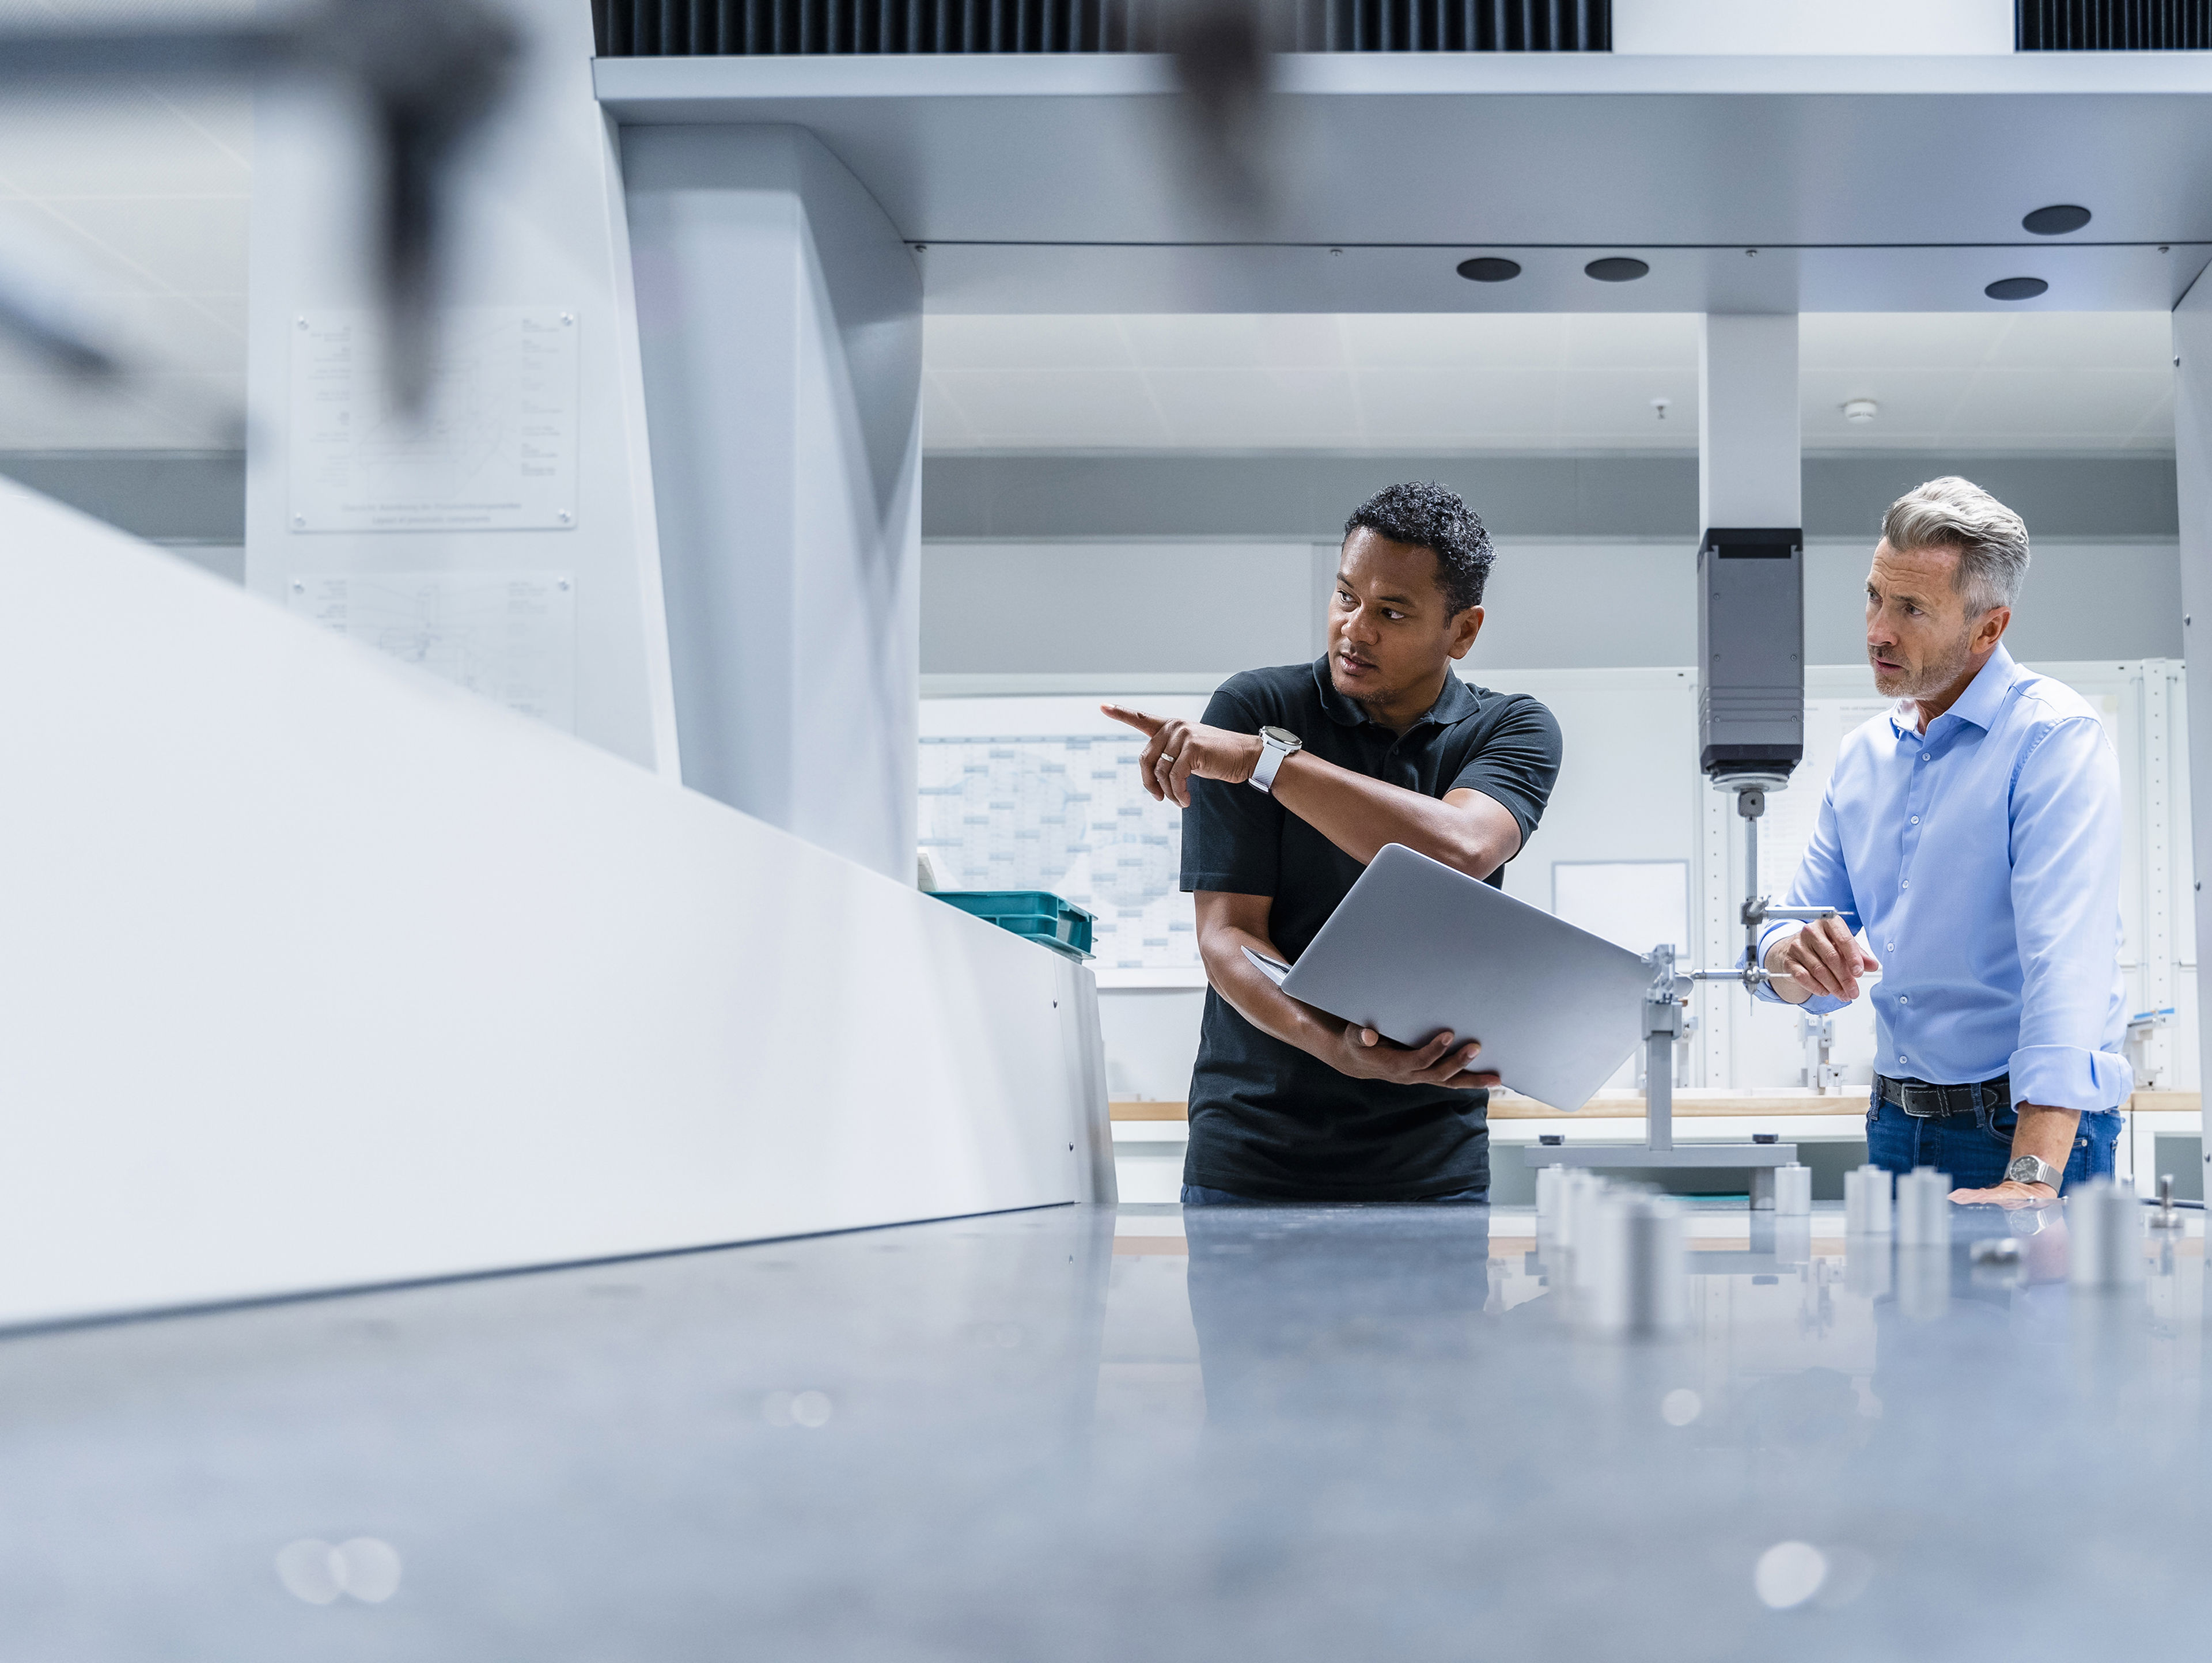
[(1304, 1432)]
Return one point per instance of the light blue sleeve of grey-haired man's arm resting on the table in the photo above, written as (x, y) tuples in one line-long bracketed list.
[(2067, 855)]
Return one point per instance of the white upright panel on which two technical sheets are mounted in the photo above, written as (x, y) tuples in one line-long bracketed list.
[(534, 222)]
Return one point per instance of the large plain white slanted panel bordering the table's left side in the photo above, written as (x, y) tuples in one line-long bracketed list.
[(317, 972)]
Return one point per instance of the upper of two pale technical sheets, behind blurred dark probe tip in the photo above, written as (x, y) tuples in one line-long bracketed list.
[(492, 452)]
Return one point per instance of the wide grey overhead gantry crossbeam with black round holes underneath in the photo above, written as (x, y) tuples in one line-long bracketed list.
[(1864, 182)]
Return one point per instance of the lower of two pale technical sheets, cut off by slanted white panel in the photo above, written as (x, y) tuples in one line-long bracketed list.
[(505, 636)]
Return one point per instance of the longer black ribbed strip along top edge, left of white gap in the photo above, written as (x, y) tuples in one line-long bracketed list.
[(910, 28)]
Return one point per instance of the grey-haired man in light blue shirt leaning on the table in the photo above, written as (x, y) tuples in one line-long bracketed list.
[(1976, 837)]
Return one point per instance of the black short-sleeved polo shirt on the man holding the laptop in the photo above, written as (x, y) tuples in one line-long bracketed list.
[(1266, 1120)]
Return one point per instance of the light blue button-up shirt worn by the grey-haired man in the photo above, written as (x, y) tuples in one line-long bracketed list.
[(1983, 864)]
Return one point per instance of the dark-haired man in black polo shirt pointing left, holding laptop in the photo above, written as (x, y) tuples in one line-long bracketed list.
[(1293, 784)]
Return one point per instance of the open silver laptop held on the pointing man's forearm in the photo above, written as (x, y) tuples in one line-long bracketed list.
[(1419, 948)]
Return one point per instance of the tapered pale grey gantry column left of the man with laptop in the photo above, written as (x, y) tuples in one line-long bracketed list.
[(782, 342)]
